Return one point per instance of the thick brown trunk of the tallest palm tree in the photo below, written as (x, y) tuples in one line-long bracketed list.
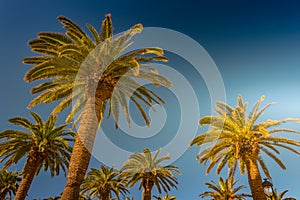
[(82, 150)]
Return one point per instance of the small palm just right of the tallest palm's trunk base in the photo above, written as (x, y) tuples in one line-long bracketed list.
[(103, 183)]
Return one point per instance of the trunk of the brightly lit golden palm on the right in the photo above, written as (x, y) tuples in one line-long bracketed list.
[(254, 179)]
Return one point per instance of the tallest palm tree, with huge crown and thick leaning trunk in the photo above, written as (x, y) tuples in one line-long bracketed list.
[(92, 74)]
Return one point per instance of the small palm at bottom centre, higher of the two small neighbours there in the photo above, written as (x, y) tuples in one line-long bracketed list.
[(150, 172)]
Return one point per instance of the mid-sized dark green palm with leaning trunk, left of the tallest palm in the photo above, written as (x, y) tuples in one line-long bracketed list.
[(44, 145)]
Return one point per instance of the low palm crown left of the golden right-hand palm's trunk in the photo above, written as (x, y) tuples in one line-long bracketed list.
[(224, 190)]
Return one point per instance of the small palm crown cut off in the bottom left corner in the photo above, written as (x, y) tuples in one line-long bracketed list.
[(9, 183)]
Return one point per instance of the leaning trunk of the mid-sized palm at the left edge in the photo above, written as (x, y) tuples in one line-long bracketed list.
[(32, 165)]
